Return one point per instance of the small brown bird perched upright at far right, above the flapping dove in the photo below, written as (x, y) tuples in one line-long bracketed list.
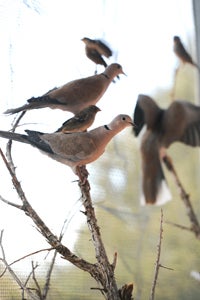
[(181, 52)]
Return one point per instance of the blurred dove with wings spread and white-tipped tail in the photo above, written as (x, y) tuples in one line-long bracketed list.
[(180, 122)]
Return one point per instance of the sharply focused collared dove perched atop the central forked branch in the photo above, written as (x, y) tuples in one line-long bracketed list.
[(75, 149)]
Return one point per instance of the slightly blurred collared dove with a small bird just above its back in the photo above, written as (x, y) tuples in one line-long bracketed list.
[(74, 95)]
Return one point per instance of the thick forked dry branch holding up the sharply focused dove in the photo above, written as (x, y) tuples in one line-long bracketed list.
[(102, 271)]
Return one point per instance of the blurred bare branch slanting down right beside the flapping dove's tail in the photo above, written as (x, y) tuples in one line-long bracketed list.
[(195, 227)]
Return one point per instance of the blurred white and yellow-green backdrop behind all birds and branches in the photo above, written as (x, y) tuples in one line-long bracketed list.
[(41, 48)]
